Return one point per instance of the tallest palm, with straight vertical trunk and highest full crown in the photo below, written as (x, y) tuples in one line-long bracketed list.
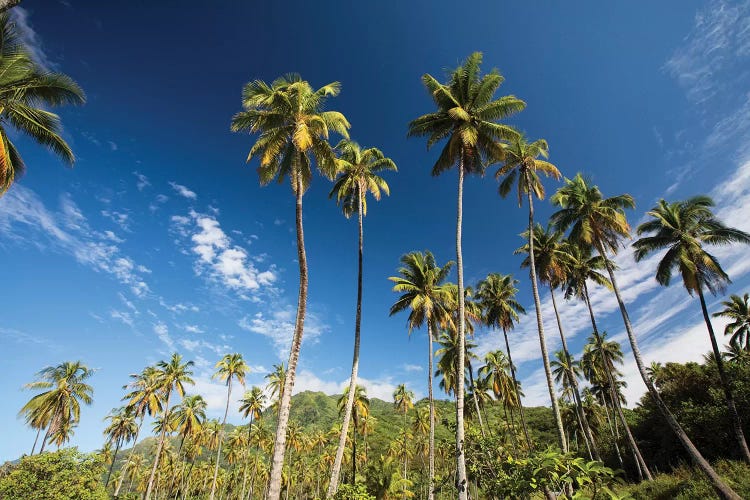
[(467, 116)]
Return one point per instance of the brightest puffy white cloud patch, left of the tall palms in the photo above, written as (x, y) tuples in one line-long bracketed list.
[(218, 257)]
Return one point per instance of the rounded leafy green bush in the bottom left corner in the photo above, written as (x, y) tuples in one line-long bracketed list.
[(62, 475)]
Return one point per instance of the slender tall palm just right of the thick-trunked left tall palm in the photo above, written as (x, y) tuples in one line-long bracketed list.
[(358, 174)]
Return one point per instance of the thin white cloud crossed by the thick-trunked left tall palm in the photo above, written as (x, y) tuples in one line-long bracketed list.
[(278, 326)]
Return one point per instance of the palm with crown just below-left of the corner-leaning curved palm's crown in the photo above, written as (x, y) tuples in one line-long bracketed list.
[(552, 265)]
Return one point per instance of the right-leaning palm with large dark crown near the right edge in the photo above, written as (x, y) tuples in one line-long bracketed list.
[(685, 228)]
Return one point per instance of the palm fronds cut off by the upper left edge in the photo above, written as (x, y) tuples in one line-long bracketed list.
[(26, 92)]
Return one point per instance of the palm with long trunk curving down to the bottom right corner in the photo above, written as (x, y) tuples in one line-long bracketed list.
[(599, 222)]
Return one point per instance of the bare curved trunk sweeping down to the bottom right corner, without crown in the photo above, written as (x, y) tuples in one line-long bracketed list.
[(719, 485)]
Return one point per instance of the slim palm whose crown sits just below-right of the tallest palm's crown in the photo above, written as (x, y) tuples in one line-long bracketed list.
[(522, 162)]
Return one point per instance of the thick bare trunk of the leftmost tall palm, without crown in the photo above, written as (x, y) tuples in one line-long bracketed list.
[(277, 462)]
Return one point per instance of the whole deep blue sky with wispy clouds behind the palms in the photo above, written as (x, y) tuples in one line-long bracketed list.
[(160, 238)]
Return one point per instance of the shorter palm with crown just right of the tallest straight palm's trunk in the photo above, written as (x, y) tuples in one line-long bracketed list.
[(496, 296)]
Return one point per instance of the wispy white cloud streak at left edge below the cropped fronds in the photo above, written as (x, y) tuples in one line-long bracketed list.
[(68, 232)]
